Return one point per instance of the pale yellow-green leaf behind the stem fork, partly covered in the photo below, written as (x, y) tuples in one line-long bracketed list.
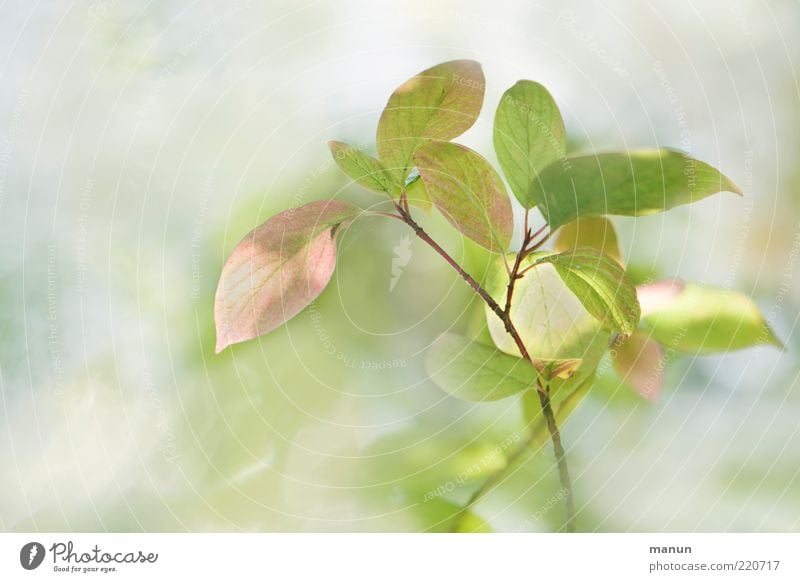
[(554, 325)]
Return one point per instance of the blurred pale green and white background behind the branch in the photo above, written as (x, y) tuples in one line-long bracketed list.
[(140, 141)]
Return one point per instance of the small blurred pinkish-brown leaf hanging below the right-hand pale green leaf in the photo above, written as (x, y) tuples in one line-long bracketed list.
[(639, 361)]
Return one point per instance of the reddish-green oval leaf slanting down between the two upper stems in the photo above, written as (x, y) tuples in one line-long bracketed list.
[(468, 191)]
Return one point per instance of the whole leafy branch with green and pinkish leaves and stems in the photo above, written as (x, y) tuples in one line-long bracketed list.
[(551, 314)]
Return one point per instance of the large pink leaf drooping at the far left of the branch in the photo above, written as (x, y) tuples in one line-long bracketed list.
[(277, 270)]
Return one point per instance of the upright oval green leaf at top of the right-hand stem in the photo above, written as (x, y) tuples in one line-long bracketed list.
[(529, 135)]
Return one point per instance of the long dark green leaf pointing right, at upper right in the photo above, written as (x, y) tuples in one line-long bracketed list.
[(630, 184)]
